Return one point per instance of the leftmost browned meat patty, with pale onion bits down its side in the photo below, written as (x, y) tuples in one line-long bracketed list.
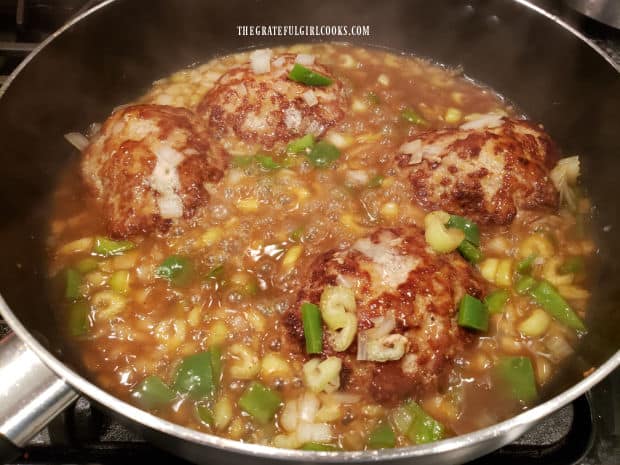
[(148, 166)]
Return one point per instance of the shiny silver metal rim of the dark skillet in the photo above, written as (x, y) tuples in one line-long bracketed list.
[(495, 435)]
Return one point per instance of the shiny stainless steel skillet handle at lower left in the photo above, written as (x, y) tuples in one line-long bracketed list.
[(31, 395)]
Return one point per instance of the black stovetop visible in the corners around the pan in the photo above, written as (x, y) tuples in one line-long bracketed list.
[(586, 432)]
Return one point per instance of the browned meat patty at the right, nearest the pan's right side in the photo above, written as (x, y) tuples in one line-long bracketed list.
[(486, 170)]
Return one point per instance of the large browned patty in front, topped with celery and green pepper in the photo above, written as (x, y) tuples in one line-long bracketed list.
[(394, 272)]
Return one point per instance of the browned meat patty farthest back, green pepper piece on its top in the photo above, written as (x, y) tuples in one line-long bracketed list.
[(248, 108)]
